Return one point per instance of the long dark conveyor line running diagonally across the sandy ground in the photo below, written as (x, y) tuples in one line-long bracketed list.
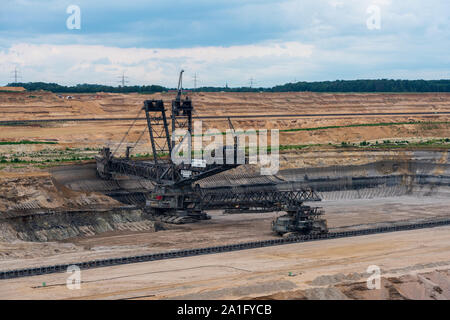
[(19, 273)]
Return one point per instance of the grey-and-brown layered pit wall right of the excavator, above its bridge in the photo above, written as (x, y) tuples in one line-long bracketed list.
[(424, 173)]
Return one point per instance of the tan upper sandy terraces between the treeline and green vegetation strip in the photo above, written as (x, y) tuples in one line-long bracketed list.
[(45, 105)]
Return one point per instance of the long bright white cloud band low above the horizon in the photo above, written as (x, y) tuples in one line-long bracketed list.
[(90, 63)]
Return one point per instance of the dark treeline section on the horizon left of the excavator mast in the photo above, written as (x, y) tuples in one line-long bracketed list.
[(86, 88)]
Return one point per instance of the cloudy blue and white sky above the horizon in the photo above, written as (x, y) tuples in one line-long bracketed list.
[(223, 42)]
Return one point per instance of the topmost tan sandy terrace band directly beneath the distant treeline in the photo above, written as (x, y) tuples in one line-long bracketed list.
[(35, 105)]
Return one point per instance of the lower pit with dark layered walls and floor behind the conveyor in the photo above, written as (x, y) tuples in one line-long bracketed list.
[(102, 218)]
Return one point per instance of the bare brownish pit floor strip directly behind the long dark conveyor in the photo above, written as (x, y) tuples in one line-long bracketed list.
[(221, 229)]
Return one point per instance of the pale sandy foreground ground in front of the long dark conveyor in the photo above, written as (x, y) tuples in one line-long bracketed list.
[(320, 270)]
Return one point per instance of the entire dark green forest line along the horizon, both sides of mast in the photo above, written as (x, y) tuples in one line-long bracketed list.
[(382, 85)]
